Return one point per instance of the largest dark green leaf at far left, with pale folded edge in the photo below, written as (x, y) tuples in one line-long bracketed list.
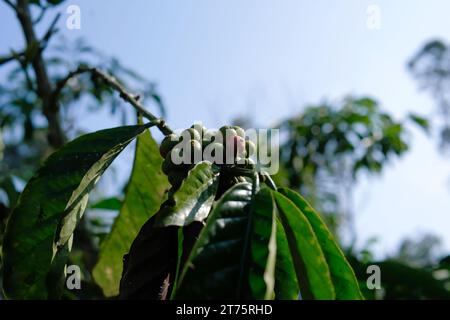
[(50, 207)]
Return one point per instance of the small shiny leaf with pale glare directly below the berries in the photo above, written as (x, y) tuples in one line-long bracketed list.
[(194, 199)]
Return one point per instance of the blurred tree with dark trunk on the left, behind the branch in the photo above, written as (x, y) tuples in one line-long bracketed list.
[(38, 103)]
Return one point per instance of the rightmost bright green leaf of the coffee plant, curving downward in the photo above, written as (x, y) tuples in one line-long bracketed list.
[(342, 275)]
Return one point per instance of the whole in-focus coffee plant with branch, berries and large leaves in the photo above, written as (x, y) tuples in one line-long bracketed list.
[(200, 219)]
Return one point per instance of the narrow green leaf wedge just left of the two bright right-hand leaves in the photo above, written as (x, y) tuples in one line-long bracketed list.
[(286, 284)]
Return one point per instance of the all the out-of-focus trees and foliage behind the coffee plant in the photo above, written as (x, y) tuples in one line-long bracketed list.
[(325, 148)]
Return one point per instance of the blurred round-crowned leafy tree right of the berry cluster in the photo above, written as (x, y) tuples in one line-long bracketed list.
[(328, 147)]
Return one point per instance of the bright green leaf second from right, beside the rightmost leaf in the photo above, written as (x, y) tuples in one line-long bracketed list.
[(311, 267)]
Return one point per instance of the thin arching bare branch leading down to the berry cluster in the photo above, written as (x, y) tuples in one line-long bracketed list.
[(113, 83)]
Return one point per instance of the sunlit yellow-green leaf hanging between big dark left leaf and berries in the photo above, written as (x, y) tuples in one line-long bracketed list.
[(143, 197)]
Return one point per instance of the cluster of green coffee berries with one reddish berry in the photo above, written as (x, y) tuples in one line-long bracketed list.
[(224, 147)]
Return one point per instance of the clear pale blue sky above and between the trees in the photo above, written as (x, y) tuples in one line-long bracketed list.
[(216, 59)]
